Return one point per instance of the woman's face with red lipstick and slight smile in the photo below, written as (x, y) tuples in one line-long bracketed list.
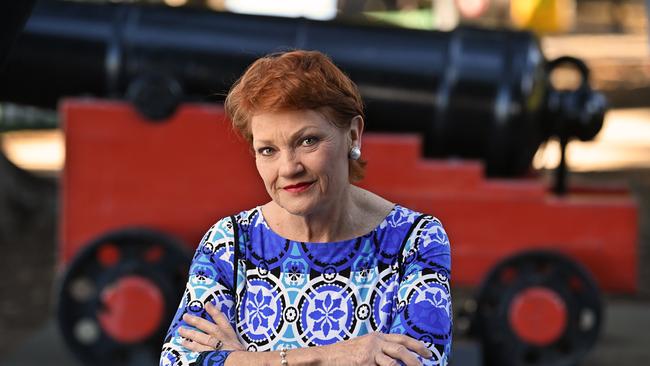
[(302, 159)]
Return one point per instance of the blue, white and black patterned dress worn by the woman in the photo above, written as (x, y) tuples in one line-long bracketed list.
[(281, 293)]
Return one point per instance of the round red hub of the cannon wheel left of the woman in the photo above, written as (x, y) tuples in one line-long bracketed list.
[(133, 309)]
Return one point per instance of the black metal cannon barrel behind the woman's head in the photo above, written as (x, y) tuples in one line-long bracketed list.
[(471, 93)]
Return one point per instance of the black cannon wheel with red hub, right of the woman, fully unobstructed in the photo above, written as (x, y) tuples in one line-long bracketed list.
[(537, 308)]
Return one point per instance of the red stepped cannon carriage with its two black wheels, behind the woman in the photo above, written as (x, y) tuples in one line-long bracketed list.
[(138, 195)]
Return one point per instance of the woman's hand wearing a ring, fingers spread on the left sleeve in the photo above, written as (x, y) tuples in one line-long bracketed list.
[(211, 334)]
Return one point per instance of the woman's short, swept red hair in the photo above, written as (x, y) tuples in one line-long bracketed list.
[(295, 80)]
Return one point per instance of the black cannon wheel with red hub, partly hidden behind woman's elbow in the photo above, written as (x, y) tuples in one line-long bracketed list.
[(118, 295)]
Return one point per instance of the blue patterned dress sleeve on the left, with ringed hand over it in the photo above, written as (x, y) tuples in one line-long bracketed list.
[(210, 279)]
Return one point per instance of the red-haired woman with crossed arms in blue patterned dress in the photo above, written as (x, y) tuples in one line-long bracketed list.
[(326, 272)]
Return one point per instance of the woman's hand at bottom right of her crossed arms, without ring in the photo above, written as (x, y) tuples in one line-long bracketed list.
[(377, 349)]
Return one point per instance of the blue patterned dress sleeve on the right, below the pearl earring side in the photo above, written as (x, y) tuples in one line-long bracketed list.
[(423, 306)]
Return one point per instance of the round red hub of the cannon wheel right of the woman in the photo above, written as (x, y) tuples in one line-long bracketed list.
[(538, 315)]
